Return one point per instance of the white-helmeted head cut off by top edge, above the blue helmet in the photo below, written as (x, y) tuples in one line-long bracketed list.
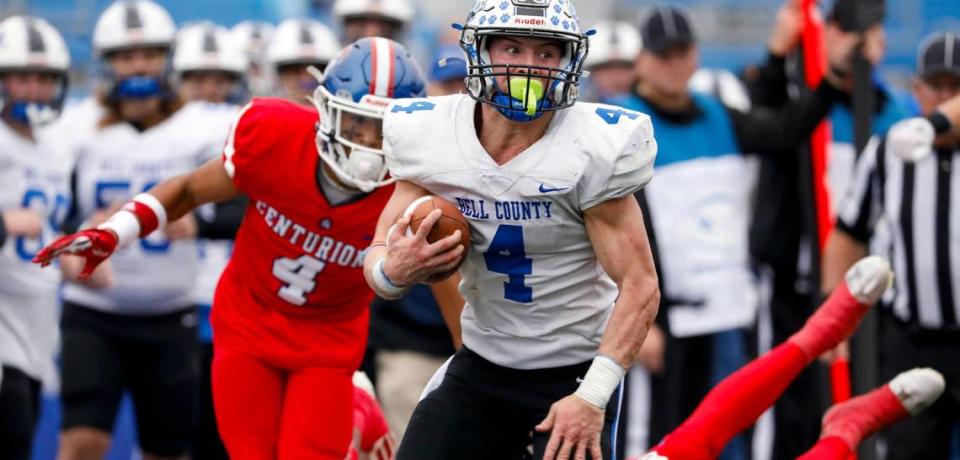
[(372, 18)]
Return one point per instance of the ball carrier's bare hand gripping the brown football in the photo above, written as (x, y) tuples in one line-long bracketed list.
[(412, 259)]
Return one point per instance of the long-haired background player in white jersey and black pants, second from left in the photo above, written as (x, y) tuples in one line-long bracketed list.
[(138, 334)]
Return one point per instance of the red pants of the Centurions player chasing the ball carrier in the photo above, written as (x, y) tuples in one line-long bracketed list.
[(267, 413)]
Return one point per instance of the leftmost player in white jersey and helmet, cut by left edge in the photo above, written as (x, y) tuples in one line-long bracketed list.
[(34, 198)]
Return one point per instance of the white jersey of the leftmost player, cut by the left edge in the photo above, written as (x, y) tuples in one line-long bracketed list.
[(34, 175)]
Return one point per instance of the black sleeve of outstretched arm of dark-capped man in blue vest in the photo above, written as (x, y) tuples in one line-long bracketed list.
[(771, 132)]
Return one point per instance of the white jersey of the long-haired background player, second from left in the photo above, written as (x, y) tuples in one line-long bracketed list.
[(154, 275)]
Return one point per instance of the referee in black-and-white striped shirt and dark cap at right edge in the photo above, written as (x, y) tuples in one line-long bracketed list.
[(904, 203)]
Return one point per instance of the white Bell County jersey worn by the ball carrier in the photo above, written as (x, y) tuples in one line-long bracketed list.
[(536, 294)]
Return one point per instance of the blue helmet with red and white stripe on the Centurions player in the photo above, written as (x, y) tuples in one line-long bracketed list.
[(356, 87)]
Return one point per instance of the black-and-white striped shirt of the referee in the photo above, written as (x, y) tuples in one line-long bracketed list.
[(910, 213)]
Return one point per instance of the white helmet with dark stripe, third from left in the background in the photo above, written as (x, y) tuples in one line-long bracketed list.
[(207, 46)]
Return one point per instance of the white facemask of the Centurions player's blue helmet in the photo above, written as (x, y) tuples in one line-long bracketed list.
[(357, 162)]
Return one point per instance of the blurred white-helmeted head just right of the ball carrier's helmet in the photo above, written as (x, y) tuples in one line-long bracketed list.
[(613, 50)]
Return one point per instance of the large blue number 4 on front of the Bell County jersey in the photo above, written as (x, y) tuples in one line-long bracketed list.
[(506, 255)]
